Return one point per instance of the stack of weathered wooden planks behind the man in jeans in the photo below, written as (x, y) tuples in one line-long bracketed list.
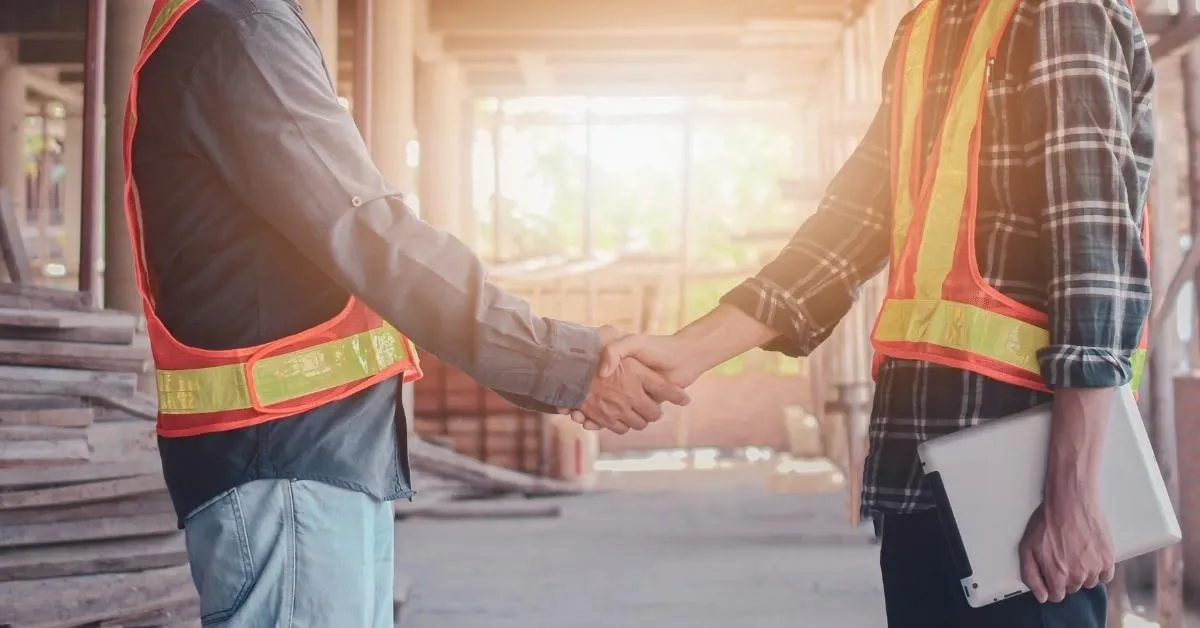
[(88, 535)]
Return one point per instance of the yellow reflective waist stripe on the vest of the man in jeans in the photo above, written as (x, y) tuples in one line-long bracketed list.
[(284, 378)]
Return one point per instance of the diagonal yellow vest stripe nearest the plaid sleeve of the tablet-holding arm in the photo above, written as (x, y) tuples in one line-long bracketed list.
[(952, 180)]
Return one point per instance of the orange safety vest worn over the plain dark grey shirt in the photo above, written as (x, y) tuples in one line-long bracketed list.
[(205, 392)]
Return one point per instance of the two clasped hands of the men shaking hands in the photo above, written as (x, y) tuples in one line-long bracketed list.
[(635, 376)]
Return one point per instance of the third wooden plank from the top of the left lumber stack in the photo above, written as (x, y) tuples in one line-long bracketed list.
[(75, 356)]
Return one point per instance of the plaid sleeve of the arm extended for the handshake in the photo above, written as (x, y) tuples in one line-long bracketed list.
[(815, 280)]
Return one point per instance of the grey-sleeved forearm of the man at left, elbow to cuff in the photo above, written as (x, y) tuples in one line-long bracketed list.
[(434, 289)]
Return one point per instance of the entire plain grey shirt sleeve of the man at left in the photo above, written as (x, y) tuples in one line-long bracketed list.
[(268, 121)]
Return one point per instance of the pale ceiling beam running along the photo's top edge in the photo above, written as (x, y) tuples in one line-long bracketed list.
[(621, 16)]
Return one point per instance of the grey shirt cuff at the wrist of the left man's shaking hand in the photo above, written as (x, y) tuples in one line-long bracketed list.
[(574, 357)]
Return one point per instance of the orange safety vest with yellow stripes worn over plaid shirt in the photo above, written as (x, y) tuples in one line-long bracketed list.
[(939, 308)]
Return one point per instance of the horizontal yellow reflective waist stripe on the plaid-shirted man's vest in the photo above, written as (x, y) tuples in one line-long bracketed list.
[(963, 327)]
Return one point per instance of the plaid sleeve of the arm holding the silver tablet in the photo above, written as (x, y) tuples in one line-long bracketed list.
[(1089, 111)]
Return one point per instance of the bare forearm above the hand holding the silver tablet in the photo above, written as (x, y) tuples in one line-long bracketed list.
[(1077, 441)]
